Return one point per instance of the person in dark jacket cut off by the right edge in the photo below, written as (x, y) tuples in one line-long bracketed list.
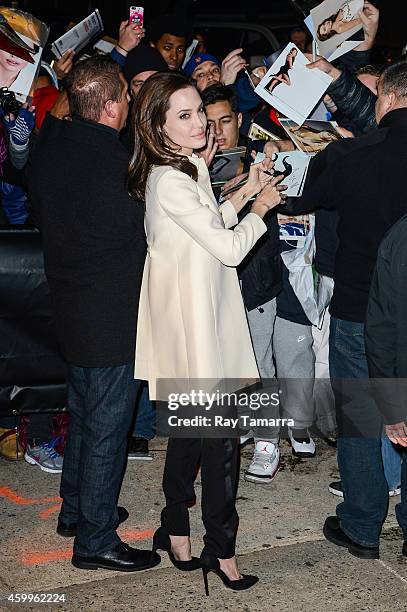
[(386, 342)]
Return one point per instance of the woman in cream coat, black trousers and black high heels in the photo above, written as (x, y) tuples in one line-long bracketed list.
[(192, 323)]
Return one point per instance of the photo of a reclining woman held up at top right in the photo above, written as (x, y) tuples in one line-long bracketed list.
[(334, 22)]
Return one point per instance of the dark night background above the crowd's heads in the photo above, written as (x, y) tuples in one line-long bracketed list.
[(57, 13)]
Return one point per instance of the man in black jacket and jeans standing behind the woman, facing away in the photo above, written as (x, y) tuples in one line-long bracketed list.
[(94, 251)]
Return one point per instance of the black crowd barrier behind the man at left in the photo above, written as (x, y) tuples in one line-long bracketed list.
[(32, 375)]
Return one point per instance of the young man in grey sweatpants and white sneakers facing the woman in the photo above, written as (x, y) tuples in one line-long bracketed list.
[(274, 326)]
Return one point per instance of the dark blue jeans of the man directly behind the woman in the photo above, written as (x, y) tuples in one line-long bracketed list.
[(101, 406)]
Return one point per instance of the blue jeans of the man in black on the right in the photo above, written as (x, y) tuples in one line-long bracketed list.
[(366, 497)]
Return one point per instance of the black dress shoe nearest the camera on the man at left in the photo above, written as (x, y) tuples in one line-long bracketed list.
[(122, 558)]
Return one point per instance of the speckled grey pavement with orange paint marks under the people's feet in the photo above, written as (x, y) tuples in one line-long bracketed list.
[(280, 540)]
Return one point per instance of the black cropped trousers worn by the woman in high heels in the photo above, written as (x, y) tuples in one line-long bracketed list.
[(218, 458)]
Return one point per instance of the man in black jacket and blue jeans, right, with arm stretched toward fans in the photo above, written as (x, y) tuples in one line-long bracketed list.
[(366, 186)]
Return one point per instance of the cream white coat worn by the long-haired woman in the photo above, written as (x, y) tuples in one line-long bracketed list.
[(192, 322)]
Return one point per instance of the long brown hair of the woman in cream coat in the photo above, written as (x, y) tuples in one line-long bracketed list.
[(151, 145)]
